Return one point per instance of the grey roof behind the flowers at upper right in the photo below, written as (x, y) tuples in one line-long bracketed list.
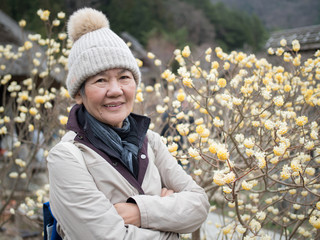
[(309, 37)]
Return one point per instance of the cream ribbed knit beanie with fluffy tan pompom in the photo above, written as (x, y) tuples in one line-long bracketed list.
[(96, 48)]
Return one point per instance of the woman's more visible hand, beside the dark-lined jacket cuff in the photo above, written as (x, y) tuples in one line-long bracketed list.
[(130, 213)]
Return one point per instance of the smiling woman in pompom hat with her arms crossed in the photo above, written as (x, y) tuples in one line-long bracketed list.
[(119, 181)]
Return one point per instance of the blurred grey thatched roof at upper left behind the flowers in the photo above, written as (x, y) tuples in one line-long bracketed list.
[(12, 34)]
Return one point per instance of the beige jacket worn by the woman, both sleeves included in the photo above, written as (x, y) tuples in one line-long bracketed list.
[(82, 197)]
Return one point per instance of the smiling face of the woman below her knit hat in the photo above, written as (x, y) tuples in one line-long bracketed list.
[(109, 96)]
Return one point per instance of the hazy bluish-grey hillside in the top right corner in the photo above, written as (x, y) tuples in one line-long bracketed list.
[(280, 14)]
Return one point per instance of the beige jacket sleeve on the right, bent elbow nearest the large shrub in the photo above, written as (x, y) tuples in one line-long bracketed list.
[(182, 212)]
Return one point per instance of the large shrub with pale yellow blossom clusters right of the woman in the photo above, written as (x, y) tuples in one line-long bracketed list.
[(248, 132)]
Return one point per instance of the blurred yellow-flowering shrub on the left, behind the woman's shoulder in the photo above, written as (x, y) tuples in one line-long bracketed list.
[(32, 114)]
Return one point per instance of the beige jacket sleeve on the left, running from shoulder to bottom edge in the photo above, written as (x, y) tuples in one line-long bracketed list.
[(82, 211)]
